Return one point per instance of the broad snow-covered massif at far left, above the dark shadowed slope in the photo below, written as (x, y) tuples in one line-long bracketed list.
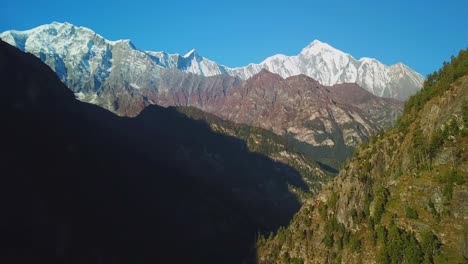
[(83, 59)]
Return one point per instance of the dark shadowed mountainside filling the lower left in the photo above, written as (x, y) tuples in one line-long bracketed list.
[(81, 185)]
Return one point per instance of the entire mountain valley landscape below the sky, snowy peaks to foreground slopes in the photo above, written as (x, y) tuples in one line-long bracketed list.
[(112, 154)]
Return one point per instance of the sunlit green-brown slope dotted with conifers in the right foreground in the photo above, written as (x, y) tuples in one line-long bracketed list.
[(403, 196)]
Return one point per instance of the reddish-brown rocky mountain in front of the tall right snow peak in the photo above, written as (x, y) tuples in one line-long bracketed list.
[(329, 119)]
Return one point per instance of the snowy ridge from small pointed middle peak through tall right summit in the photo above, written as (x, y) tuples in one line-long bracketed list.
[(318, 60)]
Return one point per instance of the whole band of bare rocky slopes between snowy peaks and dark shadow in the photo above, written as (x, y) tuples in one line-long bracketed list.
[(327, 121)]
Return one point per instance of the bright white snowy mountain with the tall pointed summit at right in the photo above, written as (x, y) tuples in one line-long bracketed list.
[(331, 66)]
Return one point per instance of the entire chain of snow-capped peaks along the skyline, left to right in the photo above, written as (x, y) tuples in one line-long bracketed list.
[(92, 59)]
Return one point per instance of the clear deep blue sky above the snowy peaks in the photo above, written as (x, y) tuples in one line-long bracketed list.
[(422, 34)]
